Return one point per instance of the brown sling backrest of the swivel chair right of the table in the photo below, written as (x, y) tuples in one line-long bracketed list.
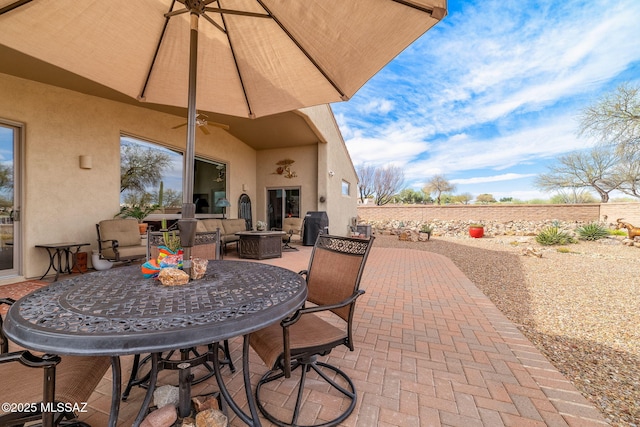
[(335, 270)]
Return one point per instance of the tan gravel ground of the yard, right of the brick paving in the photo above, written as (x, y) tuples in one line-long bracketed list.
[(580, 306)]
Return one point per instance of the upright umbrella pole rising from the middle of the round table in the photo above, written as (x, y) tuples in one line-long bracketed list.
[(187, 224)]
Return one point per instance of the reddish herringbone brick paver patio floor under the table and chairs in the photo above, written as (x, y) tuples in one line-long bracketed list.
[(431, 350)]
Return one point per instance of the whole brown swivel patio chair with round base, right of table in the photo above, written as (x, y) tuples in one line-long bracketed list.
[(325, 322)]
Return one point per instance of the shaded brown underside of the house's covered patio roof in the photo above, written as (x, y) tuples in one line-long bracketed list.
[(277, 131)]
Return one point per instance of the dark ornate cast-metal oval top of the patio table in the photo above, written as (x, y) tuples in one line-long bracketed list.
[(118, 312)]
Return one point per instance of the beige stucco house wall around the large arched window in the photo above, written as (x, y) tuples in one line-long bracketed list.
[(60, 201)]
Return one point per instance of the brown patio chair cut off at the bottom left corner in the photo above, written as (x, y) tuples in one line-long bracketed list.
[(62, 383)]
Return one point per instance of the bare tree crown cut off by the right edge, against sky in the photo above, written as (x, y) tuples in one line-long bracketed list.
[(615, 118)]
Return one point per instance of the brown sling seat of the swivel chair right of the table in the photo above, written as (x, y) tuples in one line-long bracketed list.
[(310, 332)]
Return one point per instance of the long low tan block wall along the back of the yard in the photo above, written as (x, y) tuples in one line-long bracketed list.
[(506, 212)]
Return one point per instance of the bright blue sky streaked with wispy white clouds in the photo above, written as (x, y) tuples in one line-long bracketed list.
[(491, 95)]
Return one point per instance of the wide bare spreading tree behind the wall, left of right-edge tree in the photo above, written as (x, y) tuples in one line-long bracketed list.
[(580, 170)]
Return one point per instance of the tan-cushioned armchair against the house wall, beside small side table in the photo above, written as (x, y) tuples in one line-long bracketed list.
[(119, 240)]
